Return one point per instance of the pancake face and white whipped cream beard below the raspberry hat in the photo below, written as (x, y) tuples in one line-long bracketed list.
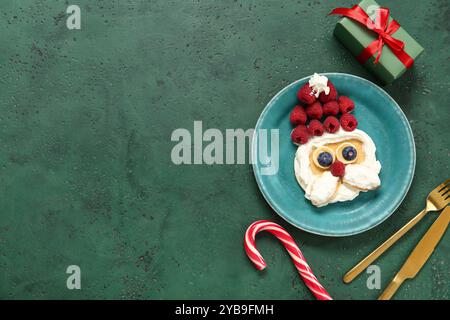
[(320, 186)]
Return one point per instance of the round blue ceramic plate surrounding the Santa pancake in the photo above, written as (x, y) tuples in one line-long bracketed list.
[(379, 116)]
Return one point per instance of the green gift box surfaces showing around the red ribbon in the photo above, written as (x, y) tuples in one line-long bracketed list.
[(356, 37)]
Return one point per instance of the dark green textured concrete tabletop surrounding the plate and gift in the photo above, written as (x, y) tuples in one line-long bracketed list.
[(85, 123)]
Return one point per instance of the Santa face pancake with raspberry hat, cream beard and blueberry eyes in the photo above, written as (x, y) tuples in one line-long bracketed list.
[(335, 161)]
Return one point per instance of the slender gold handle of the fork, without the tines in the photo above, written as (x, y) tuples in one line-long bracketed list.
[(367, 261)]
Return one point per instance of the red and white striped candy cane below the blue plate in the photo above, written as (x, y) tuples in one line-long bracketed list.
[(297, 257)]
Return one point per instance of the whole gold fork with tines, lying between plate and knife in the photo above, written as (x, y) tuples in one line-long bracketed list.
[(437, 200)]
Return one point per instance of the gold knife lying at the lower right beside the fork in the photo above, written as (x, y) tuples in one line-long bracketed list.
[(419, 255)]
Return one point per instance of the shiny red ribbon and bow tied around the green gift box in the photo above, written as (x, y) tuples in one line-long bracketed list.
[(381, 27)]
